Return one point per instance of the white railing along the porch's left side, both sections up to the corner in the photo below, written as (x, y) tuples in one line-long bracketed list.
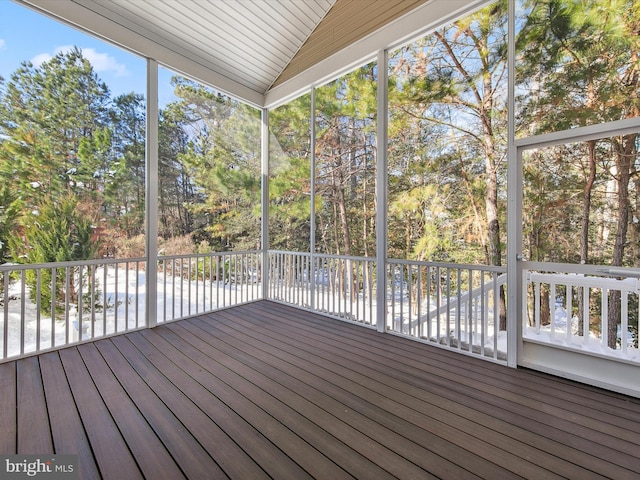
[(49, 306)]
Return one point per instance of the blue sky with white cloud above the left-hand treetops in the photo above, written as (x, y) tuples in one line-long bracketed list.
[(29, 36)]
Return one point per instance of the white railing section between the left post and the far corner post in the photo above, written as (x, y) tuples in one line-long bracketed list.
[(195, 284)]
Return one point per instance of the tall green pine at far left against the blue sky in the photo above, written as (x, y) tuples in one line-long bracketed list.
[(46, 114)]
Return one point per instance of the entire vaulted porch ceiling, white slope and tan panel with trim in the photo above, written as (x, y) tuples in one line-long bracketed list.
[(257, 50)]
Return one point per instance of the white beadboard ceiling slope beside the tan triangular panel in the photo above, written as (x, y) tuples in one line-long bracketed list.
[(248, 41)]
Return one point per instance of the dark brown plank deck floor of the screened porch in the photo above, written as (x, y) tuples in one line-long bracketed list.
[(268, 391)]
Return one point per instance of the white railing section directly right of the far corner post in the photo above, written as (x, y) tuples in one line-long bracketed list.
[(336, 285)]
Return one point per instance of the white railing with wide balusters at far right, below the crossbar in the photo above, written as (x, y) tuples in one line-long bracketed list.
[(571, 310)]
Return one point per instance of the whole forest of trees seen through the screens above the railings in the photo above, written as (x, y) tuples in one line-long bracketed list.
[(70, 150)]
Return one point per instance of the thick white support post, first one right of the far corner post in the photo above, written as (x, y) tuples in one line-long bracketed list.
[(381, 191)]
